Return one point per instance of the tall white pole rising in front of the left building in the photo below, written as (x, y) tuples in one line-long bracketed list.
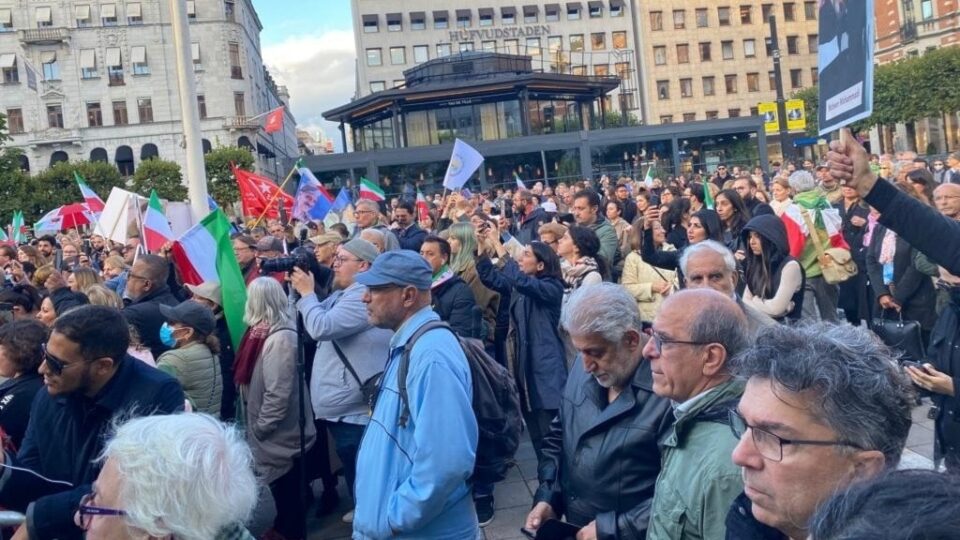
[(196, 174)]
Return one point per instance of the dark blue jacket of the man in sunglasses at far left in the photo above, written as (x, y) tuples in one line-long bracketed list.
[(66, 435)]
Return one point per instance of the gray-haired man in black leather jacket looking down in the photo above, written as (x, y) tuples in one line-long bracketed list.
[(600, 458)]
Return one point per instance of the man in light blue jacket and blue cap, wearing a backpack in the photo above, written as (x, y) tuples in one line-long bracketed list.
[(413, 466)]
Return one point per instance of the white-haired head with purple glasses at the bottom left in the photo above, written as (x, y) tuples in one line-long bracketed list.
[(184, 476)]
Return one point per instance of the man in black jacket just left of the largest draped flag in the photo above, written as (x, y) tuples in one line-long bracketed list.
[(147, 289)]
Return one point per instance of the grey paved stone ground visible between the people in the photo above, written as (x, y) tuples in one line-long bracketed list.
[(514, 495)]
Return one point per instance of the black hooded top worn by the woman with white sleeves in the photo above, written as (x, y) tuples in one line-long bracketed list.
[(776, 254)]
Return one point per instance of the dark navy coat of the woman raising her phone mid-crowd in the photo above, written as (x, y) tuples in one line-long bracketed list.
[(539, 362)]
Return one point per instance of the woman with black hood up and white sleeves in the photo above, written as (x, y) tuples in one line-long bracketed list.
[(774, 279)]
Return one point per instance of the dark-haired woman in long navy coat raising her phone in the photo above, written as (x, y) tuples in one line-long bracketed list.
[(535, 283)]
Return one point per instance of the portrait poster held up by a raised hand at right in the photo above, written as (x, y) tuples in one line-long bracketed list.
[(845, 62)]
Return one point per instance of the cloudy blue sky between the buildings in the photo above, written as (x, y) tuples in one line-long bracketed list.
[(308, 46)]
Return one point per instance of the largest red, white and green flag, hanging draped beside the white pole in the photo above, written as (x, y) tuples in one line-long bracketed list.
[(205, 254)]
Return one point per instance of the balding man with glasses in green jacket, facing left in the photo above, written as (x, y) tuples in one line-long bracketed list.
[(695, 334)]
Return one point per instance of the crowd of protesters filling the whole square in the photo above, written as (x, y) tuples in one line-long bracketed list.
[(683, 369)]
